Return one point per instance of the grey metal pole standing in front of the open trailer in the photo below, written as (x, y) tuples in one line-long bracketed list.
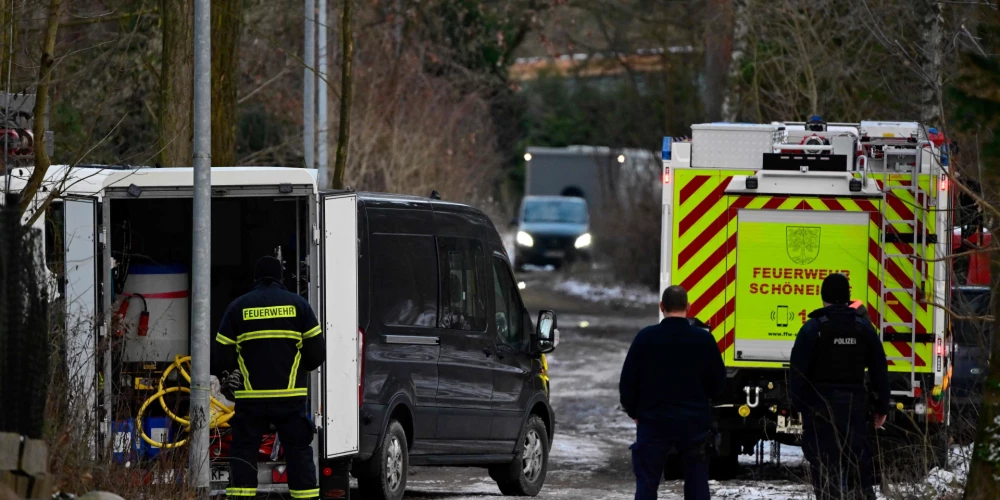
[(198, 468)]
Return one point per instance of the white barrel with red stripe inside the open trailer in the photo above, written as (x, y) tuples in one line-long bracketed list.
[(165, 289)]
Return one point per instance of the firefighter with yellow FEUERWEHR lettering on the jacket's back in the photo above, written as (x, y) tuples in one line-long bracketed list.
[(273, 336)]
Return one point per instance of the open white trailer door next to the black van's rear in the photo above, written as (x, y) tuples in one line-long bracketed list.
[(339, 300)]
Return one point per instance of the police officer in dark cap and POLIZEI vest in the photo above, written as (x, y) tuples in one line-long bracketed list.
[(827, 386)]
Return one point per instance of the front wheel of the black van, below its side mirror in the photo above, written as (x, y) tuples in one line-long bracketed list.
[(526, 474)]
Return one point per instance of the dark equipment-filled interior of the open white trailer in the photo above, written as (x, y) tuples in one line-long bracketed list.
[(150, 241)]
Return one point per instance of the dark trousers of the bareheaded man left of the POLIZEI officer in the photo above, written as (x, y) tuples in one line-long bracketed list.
[(654, 442)]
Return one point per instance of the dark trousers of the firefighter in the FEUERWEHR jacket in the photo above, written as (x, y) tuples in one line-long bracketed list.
[(295, 431)]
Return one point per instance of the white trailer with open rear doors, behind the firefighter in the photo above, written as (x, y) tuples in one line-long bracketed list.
[(106, 220)]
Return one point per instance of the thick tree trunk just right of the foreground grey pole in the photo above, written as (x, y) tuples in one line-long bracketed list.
[(227, 26)]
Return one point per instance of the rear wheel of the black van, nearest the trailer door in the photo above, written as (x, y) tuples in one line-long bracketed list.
[(385, 478)]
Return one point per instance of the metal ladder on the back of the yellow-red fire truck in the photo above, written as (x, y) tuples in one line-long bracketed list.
[(916, 259)]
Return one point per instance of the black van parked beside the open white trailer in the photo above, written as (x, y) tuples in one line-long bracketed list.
[(452, 368)]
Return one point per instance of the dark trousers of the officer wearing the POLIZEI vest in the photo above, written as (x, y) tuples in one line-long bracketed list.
[(836, 443)]
